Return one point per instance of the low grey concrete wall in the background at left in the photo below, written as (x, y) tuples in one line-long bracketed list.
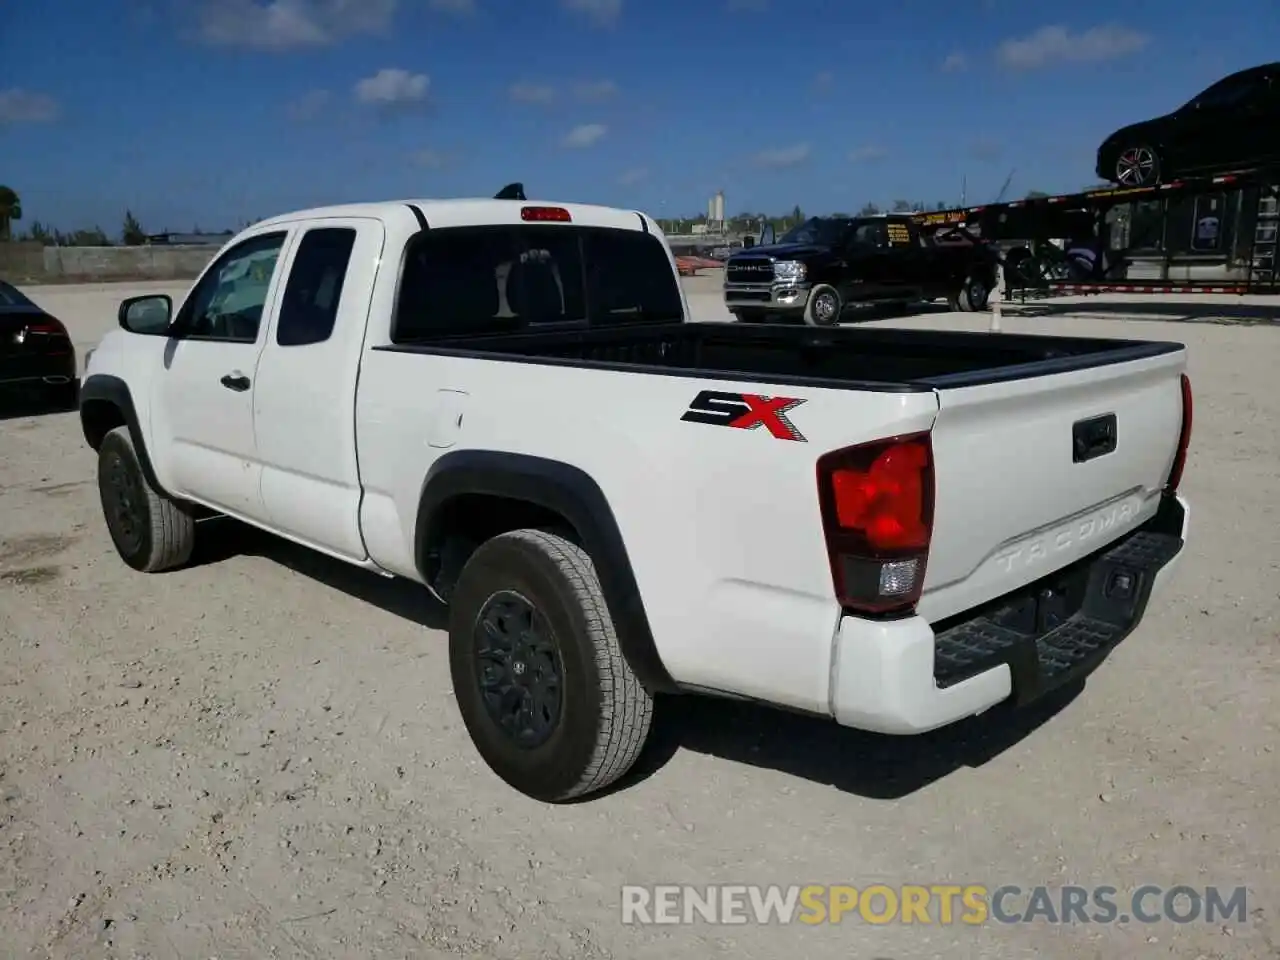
[(31, 263)]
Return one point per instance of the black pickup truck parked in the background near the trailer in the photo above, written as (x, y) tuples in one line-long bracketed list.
[(825, 264)]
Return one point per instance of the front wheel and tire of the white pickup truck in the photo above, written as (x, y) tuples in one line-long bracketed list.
[(152, 533)]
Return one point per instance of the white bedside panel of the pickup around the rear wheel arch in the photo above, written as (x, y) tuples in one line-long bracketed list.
[(721, 524)]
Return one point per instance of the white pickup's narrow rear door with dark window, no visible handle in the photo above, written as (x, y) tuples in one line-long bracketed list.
[(304, 412)]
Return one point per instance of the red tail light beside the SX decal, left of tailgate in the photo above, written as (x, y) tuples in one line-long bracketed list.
[(877, 515)]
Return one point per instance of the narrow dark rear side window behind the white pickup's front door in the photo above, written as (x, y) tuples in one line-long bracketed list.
[(312, 298)]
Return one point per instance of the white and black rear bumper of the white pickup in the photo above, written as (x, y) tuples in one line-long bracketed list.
[(908, 678)]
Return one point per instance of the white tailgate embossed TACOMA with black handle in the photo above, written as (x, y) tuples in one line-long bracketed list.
[(1025, 483)]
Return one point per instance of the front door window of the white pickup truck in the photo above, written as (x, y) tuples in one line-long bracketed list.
[(228, 303)]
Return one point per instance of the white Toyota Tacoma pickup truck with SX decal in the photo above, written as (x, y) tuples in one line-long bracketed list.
[(506, 401)]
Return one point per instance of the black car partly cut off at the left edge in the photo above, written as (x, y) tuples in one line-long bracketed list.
[(35, 350)]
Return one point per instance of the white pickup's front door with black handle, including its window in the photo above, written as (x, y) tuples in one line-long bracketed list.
[(203, 399)]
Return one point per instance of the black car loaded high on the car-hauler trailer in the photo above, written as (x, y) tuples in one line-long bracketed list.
[(1233, 125)]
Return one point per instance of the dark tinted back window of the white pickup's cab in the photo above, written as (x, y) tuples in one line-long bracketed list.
[(461, 281)]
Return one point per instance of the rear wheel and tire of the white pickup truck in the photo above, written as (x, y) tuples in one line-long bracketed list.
[(596, 719)]
